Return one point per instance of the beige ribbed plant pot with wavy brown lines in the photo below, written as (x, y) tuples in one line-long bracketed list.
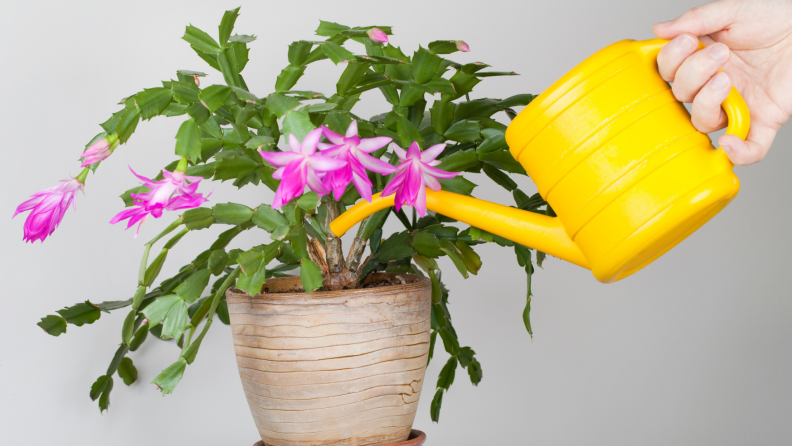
[(333, 368)]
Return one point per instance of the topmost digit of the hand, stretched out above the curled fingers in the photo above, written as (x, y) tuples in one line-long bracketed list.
[(699, 21)]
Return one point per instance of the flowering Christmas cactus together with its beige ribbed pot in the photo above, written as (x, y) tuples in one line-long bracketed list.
[(332, 346)]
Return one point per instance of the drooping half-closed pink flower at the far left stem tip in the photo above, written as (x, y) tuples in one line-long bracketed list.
[(48, 207)]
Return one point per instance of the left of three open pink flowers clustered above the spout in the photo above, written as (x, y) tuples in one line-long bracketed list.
[(299, 167)]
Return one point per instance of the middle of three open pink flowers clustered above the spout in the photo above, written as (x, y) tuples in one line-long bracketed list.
[(355, 152)]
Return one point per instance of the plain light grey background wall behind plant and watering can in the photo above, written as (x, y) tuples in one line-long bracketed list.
[(693, 350)]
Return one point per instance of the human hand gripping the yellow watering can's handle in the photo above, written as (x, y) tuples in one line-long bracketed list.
[(752, 41)]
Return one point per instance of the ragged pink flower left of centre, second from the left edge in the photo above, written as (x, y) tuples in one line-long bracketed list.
[(171, 193)]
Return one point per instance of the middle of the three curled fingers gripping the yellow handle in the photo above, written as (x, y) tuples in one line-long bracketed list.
[(697, 69)]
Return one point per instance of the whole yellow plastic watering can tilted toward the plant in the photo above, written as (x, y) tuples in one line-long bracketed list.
[(616, 156)]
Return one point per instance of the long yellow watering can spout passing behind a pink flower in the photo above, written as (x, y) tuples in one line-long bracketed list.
[(533, 230)]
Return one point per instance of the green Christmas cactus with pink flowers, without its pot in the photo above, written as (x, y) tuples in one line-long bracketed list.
[(318, 157)]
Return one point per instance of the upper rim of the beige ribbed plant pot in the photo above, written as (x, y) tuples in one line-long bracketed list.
[(418, 282)]
